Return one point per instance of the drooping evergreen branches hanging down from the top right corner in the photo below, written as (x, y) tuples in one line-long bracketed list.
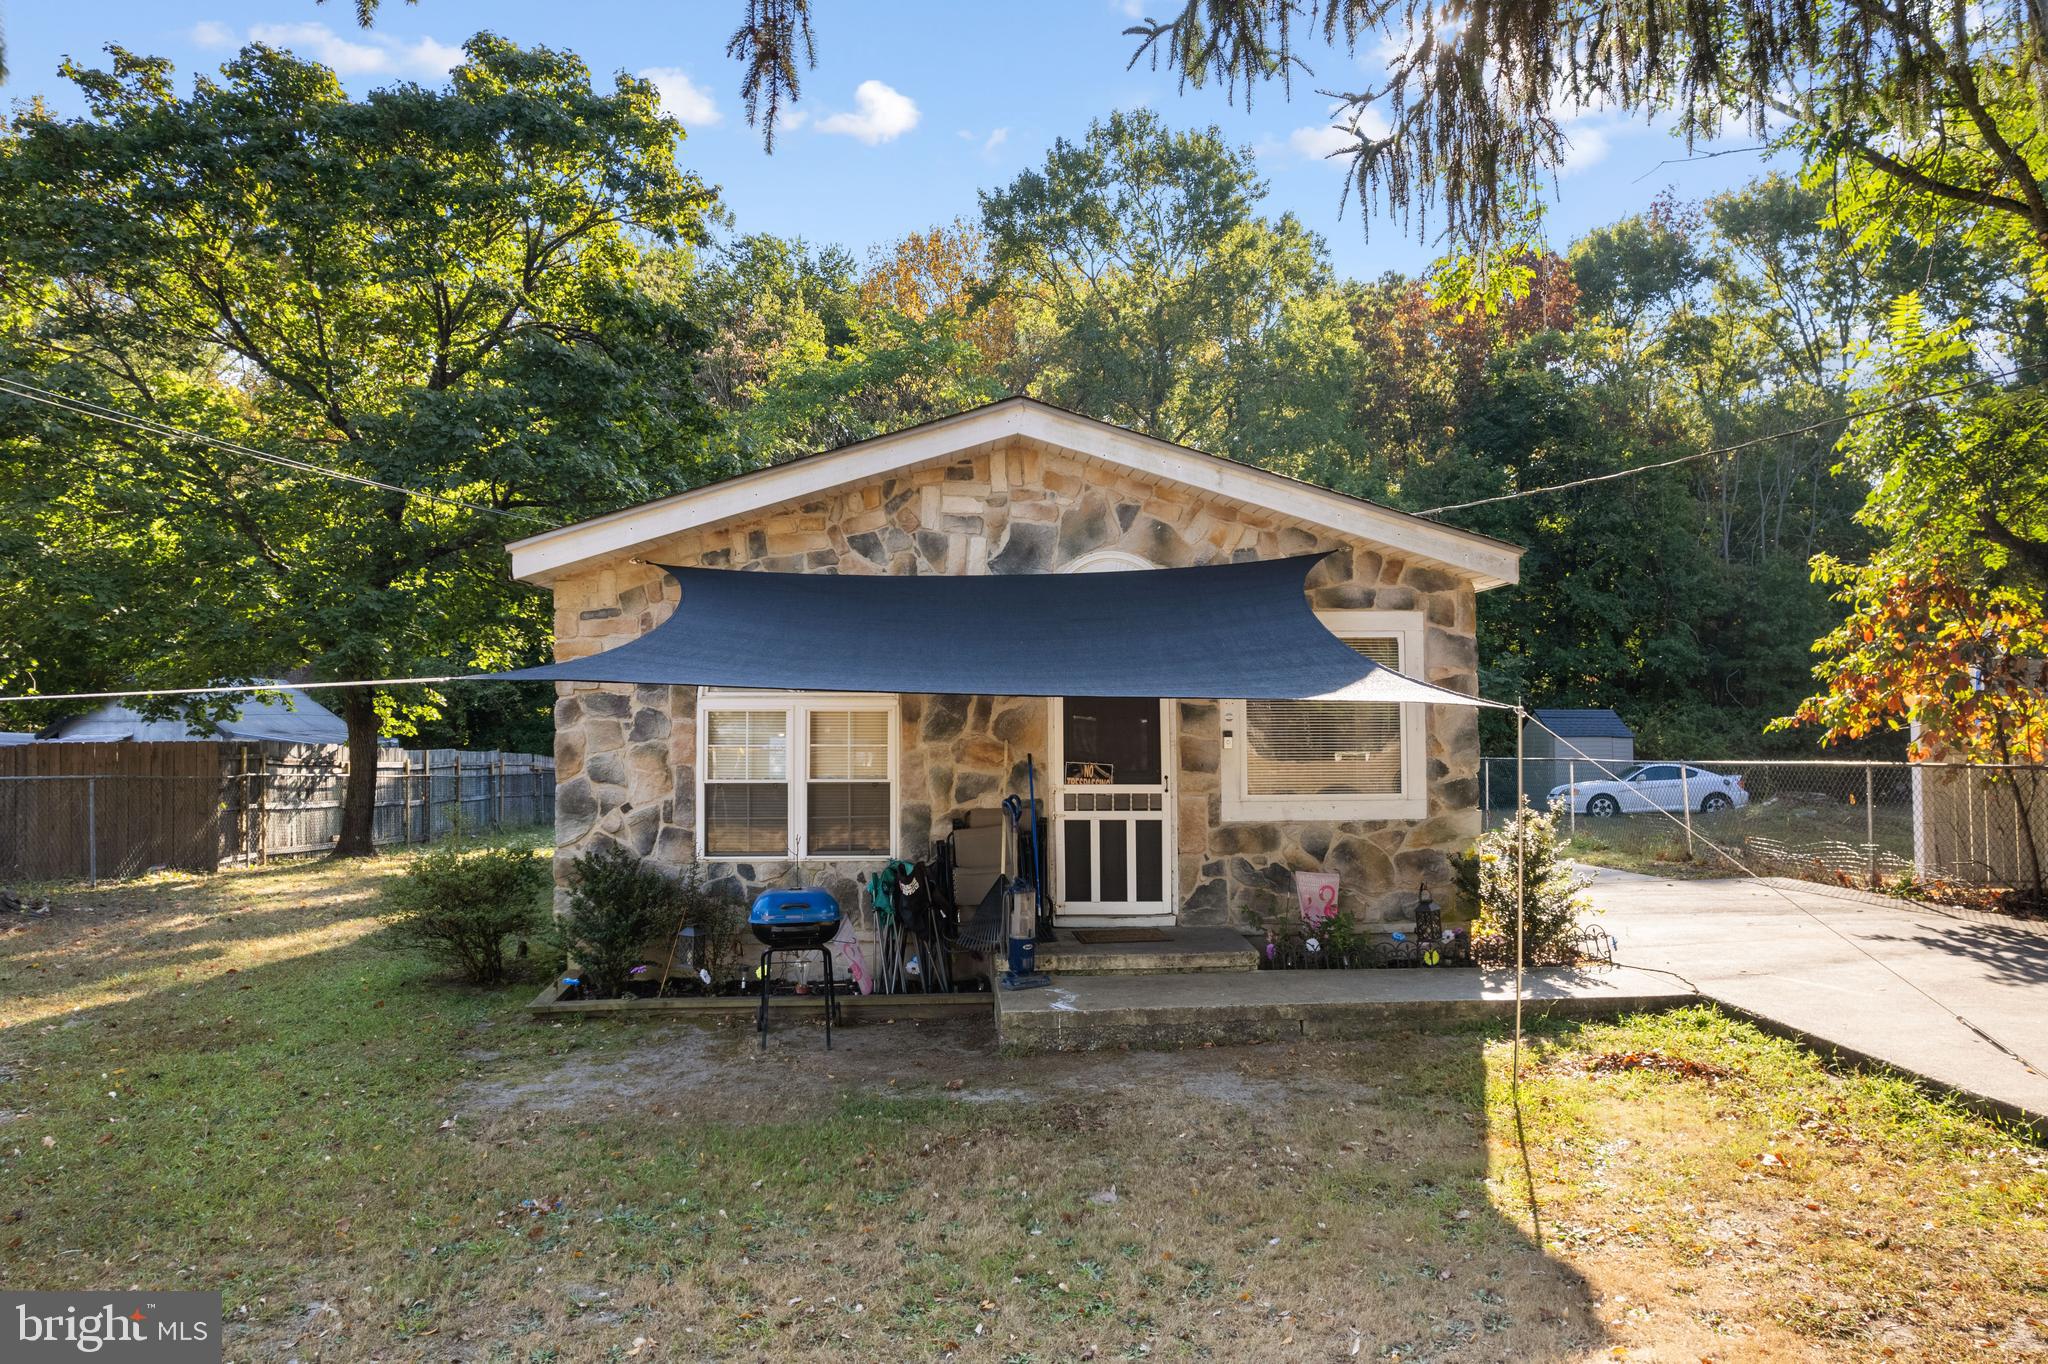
[(1936, 95)]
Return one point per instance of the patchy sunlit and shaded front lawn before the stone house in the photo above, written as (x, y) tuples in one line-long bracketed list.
[(234, 1084)]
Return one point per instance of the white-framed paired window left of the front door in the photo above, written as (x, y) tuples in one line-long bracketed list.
[(796, 777)]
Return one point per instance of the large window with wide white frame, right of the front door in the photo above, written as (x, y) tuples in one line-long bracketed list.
[(1332, 759)]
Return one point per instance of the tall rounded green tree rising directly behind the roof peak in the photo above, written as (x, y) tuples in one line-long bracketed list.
[(1150, 292)]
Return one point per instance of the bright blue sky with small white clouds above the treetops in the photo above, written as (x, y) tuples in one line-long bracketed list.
[(914, 105)]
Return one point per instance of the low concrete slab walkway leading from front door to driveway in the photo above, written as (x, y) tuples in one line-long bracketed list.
[(1170, 1011)]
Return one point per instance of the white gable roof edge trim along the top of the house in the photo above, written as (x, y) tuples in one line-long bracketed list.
[(540, 558)]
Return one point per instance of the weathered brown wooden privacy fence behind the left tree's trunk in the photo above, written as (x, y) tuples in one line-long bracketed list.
[(95, 812)]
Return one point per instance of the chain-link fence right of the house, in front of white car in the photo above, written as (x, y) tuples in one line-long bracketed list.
[(1850, 822)]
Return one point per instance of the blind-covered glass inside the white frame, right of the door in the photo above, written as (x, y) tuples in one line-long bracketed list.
[(1326, 749)]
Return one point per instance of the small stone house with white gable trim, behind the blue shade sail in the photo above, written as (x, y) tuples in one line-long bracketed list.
[(1160, 812)]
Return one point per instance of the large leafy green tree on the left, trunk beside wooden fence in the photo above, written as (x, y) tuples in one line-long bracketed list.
[(423, 288)]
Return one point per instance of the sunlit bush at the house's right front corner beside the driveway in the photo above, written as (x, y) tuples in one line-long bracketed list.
[(1553, 894)]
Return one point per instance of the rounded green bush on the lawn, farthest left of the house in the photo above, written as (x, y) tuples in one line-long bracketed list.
[(462, 906)]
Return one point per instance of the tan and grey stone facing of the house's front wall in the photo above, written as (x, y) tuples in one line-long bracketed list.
[(626, 755)]
